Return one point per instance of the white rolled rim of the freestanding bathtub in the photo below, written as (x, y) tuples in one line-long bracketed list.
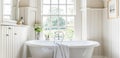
[(30, 43)]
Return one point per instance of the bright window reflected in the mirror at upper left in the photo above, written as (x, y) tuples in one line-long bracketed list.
[(7, 9)]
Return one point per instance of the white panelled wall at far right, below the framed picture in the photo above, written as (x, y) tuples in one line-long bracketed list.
[(111, 36)]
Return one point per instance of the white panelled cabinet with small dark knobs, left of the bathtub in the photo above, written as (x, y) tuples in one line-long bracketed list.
[(12, 39)]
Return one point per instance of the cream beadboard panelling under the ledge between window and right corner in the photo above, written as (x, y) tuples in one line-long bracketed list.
[(95, 28)]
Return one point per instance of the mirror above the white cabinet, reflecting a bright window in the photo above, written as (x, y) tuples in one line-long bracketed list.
[(10, 10)]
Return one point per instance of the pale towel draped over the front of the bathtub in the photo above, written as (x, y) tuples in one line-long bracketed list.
[(61, 51)]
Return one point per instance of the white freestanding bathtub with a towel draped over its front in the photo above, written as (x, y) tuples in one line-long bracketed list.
[(77, 49)]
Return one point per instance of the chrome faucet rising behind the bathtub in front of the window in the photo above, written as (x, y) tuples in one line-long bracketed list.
[(59, 36)]
